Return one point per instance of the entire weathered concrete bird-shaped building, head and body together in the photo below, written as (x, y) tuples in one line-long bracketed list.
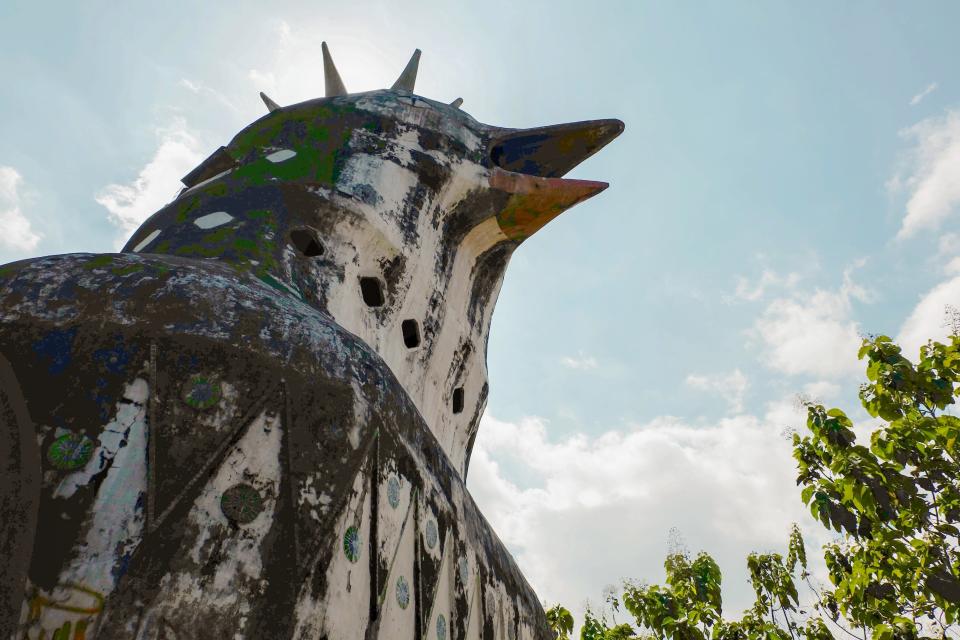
[(256, 421)]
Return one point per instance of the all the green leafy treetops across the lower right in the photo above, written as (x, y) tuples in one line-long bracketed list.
[(896, 504)]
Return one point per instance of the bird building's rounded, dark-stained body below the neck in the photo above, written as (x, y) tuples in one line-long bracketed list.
[(351, 519)]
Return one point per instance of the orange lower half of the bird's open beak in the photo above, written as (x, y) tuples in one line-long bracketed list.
[(535, 201)]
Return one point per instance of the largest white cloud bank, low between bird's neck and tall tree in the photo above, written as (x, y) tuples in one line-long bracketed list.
[(600, 508)]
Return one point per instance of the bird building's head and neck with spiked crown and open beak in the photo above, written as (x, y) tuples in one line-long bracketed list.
[(394, 213)]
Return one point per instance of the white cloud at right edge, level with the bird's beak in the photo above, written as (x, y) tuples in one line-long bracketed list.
[(931, 174)]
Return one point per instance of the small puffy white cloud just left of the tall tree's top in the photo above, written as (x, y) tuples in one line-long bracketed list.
[(812, 333)]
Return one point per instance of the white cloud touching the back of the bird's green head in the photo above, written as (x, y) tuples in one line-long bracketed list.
[(156, 184)]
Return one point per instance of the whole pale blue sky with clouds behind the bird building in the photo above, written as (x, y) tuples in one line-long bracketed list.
[(788, 181)]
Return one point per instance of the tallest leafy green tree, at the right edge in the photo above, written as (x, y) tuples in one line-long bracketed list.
[(898, 500)]
